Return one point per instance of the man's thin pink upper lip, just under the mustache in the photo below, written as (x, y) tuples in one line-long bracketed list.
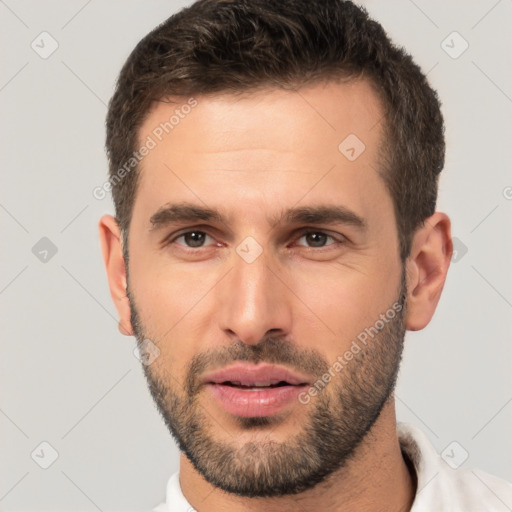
[(250, 374)]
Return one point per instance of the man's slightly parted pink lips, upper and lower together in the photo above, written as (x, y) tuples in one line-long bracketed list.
[(255, 390)]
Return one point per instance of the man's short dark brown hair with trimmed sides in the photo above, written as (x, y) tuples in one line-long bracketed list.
[(237, 46)]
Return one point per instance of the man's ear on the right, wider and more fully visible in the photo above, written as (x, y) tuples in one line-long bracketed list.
[(426, 267)]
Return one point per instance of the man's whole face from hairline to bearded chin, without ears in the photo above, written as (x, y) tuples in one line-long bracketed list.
[(264, 265)]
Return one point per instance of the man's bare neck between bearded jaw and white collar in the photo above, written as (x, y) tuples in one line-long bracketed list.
[(376, 478)]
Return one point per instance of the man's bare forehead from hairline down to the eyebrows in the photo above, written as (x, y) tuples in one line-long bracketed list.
[(271, 147)]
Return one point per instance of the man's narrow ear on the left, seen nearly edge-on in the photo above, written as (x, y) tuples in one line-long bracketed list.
[(112, 249)]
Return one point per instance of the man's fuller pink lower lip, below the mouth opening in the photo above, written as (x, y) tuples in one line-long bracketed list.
[(254, 402)]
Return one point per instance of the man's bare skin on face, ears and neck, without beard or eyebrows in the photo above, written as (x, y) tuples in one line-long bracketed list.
[(253, 156)]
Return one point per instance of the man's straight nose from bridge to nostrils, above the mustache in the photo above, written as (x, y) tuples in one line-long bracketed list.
[(254, 301)]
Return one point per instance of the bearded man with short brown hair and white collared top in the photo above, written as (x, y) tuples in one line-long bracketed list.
[(274, 169)]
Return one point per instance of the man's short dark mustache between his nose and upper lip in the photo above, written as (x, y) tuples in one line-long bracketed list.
[(271, 349)]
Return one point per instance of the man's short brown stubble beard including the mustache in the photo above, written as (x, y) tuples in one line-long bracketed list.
[(333, 423)]
